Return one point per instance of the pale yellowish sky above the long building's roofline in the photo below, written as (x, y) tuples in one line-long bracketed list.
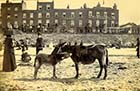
[(128, 9)]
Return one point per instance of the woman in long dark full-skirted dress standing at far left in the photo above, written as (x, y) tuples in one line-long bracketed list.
[(9, 61)]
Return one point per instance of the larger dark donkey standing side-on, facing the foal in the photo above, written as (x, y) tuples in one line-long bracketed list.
[(87, 55)]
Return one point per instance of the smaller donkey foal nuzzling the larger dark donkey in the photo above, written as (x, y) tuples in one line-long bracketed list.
[(52, 59)]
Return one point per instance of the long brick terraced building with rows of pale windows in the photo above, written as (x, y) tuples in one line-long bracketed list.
[(70, 19)]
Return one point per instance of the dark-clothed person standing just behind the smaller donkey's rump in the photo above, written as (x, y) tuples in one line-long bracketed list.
[(39, 44)]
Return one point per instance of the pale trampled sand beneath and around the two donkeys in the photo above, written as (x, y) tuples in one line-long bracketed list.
[(123, 74)]
